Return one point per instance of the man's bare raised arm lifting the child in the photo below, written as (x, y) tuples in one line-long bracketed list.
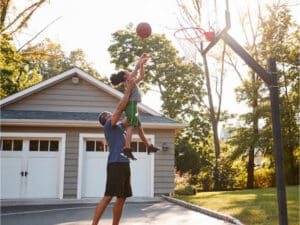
[(123, 102)]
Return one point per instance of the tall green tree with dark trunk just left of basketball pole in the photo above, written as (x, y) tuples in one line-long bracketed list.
[(250, 93)]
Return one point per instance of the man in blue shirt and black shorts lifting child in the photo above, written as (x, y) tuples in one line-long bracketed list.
[(118, 169)]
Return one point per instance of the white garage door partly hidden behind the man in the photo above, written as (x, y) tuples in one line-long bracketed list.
[(94, 161)]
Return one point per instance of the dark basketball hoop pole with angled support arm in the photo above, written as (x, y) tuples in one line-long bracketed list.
[(270, 78)]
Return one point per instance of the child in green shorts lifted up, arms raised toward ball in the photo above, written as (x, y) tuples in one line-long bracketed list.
[(132, 117)]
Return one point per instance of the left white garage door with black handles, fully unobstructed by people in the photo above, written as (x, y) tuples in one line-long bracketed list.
[(30, 167)]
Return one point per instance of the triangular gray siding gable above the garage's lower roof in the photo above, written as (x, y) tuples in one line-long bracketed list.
[(67, 97)]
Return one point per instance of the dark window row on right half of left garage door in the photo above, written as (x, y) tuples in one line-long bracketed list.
[(43, 146)]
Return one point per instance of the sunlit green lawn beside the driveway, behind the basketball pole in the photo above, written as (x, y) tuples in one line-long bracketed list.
[(251, 207)]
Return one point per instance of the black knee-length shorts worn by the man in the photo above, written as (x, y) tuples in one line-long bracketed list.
[(118, 180)]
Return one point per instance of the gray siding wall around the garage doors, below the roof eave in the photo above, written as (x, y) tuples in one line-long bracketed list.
[(163, 165)]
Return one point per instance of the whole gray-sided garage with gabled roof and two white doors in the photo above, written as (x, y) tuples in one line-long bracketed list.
[(52, 145)]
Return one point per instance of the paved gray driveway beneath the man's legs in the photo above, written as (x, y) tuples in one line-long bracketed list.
[(157, 213)]
